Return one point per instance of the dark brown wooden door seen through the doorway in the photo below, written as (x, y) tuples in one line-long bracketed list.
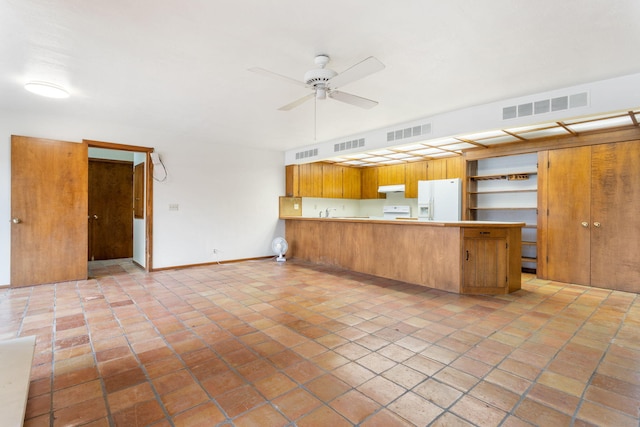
[(110, 209)]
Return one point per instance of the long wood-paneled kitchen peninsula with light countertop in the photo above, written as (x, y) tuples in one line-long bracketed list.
[(465, 257)]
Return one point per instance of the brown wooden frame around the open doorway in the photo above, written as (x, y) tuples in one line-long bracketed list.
[(148, 194)]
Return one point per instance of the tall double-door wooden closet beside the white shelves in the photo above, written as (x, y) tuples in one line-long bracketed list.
[(590, 225)]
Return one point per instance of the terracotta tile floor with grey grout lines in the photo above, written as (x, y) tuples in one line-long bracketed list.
[(263, 344)]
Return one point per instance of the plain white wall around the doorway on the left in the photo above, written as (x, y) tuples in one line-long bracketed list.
[(227, 196)]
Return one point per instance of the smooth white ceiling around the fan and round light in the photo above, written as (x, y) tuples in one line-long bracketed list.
[(182, 66)]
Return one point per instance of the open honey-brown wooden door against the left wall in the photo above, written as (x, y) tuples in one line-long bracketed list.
[(48, 210)]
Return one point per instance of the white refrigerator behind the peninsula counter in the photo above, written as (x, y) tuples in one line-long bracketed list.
[(440, 200)]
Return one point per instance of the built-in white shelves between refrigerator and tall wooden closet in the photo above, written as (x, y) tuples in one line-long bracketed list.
[(506, 189)]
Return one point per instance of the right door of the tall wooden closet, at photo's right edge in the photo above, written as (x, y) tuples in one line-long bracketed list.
[(615, 220)]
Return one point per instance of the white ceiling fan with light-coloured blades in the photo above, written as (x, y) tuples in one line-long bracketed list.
[(324, 82)]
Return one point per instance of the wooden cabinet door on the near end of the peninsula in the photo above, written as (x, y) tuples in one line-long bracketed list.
[(485, 267)]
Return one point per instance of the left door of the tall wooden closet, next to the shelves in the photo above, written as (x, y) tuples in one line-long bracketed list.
[(568, 215)]
